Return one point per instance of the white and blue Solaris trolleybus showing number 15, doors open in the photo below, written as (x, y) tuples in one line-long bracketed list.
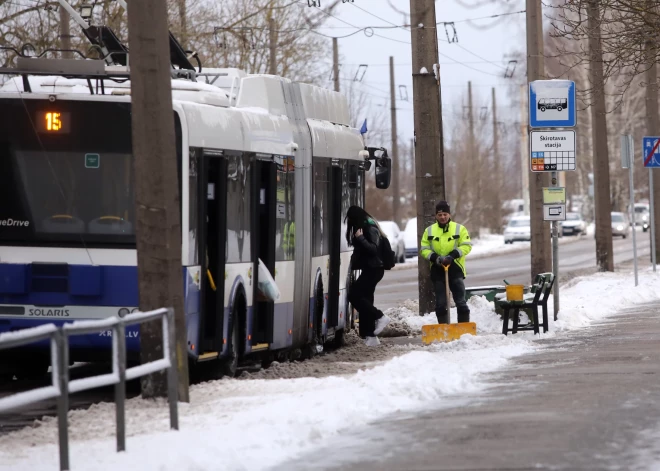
[(267, 170)]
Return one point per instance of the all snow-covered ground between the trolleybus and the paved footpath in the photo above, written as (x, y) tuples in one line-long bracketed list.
[(265, 419)]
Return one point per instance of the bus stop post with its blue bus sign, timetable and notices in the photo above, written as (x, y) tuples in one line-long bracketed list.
[(552, 105)]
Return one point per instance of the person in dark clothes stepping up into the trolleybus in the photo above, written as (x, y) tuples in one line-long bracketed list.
[(364, 233)]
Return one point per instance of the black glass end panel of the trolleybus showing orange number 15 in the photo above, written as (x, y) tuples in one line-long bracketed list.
[(66, 173)]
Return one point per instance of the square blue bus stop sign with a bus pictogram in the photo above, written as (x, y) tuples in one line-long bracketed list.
[(552, 104)]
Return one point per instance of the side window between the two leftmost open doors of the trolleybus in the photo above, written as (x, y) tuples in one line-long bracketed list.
[(238, 208)]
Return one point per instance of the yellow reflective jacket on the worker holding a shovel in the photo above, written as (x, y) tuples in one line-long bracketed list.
[(444, 241)]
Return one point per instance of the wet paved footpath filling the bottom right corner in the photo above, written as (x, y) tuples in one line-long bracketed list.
[(588, 401)]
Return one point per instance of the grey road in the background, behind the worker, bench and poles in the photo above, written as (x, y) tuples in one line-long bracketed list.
[(579, 254)]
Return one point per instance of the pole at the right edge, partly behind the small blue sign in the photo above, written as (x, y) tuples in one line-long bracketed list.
[(653, 129)]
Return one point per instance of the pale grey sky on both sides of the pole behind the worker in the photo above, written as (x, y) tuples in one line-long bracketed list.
[(491, 44)]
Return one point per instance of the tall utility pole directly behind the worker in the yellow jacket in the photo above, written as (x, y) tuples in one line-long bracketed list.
[(429, 151)]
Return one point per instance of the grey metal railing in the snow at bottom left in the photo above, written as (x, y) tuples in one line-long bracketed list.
[(61, 386)]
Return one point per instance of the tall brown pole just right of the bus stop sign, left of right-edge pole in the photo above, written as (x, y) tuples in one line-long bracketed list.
[(603, 206)]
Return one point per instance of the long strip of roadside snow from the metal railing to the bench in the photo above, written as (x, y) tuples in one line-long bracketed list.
[(261, 423)]
